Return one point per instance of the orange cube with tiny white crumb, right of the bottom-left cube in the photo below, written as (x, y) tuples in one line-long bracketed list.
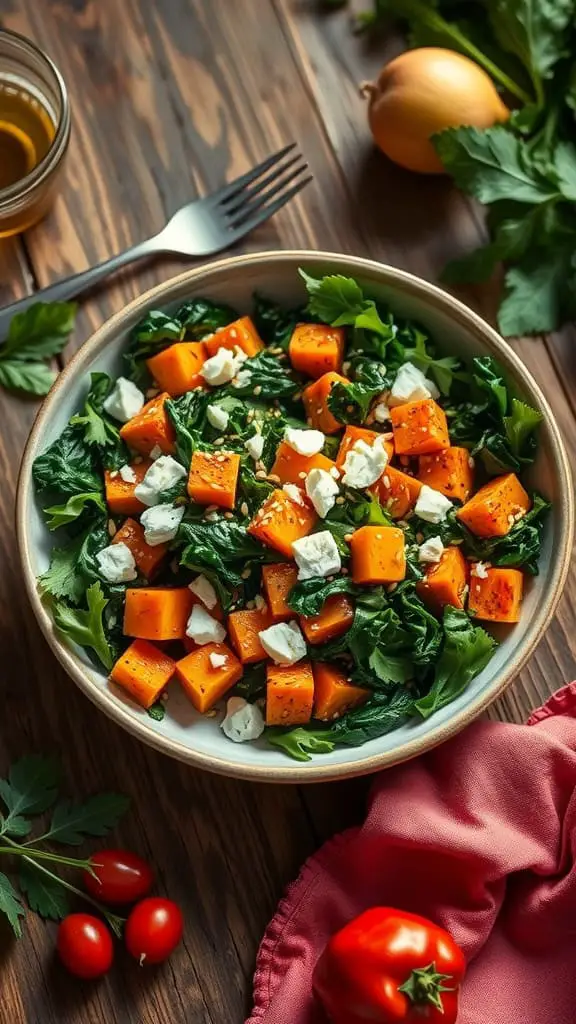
[(203, 684)]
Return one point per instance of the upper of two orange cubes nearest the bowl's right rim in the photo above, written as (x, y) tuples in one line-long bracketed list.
[(497, 507)]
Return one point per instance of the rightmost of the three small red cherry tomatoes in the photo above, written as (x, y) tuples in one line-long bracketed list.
[(153, 930)]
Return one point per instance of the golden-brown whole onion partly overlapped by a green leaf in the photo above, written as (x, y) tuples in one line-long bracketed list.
[(425, 92)]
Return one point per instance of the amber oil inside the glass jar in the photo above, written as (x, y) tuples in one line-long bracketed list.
[(27, 132)]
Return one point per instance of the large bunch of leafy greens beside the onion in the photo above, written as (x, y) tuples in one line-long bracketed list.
[(525, 170)]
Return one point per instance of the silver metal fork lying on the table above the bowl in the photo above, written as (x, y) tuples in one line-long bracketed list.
[(200, 229)]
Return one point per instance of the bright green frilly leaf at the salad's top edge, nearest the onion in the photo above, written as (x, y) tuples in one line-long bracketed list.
[(340, 302)]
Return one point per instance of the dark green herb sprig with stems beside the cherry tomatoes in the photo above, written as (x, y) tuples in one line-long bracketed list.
[(30, 790)]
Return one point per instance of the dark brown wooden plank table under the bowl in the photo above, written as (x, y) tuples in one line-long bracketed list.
[(171, 99)]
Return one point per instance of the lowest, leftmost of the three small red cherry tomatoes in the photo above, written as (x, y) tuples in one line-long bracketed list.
[(85, 946)]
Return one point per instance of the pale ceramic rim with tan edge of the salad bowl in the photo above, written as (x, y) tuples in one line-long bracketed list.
[(314, 771)]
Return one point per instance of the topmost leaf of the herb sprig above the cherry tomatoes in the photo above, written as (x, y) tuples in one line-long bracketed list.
[(30, 789)]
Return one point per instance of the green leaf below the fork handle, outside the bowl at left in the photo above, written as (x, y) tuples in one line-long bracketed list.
[(34, 336)]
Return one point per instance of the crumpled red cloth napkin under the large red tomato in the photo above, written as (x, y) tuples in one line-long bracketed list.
[(478, 835)]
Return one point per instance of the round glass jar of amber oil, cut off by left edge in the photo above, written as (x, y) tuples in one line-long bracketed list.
[(35, 122)]
